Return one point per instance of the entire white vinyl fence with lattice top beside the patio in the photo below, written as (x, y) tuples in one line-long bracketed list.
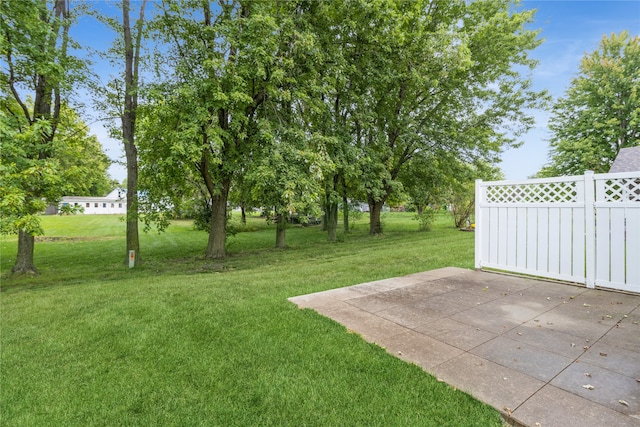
[(583, 229)]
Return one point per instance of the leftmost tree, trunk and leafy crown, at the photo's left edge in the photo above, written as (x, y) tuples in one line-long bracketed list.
[(35, 44)]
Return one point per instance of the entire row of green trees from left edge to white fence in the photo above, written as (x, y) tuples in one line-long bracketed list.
[(286, 104)]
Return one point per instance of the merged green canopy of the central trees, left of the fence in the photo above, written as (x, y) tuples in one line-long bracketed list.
[(245, 91)]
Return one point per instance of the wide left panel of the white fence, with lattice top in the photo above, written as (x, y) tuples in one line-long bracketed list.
[(527, 226)]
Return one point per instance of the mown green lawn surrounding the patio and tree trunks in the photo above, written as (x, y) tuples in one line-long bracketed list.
[(177, 342)]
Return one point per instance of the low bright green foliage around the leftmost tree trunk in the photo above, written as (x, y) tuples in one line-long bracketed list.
[(73, 164)]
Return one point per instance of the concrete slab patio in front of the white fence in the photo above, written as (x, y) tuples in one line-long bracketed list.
[(541, 353)]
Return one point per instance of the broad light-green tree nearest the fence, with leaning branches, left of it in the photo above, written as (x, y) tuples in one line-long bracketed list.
[(442, 76)]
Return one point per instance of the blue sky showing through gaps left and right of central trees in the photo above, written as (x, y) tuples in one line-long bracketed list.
[(570, 28)]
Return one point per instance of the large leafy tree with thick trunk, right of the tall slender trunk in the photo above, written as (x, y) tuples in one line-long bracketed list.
[(224, 107)]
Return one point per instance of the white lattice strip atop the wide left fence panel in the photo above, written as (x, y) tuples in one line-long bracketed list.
[(542, 192)]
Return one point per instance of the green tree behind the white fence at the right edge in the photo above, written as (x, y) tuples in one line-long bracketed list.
[(600, 112)]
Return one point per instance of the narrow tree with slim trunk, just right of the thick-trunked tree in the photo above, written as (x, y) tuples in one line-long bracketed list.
[(291, 158)]
